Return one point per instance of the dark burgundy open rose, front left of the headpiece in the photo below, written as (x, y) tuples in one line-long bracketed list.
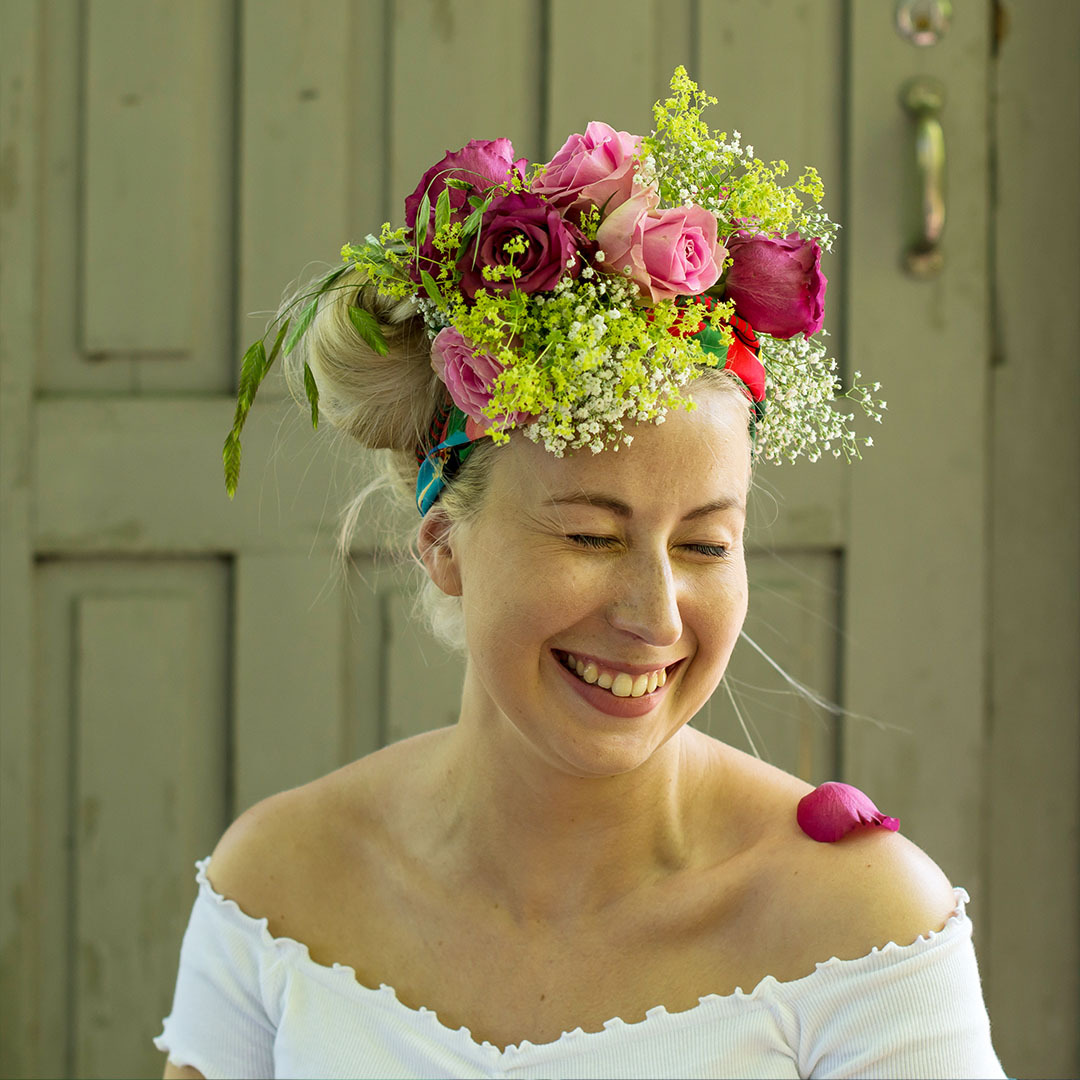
[(551, 247)]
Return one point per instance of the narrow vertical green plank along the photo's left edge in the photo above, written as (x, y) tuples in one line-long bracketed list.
[(21, 40)]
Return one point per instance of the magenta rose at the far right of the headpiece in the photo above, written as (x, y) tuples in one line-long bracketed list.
[(777, 283)]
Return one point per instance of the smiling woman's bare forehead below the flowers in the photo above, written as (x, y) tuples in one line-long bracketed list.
[(690, 460)]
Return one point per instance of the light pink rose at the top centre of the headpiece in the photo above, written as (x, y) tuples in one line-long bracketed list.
[(592, 170)]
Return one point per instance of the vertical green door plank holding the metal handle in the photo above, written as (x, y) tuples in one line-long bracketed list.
[(915, 604)]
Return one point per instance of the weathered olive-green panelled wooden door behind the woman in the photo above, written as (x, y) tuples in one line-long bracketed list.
[(170, 658)]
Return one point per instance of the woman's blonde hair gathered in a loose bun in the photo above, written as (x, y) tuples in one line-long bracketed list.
[(388, 404)]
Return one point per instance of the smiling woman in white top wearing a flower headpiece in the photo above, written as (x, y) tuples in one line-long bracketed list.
[(572, 881)]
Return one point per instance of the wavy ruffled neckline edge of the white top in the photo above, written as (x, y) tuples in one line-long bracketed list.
[(340, 974)]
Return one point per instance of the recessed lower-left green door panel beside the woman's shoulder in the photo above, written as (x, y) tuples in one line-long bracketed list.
[(133, 752)]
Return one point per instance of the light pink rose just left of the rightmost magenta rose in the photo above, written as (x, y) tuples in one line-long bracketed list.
[(668, 252)]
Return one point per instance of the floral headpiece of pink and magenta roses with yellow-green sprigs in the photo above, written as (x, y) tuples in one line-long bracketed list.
[(570, 299)]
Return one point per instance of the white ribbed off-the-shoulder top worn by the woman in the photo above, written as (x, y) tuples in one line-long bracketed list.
[(249, 1005)]
